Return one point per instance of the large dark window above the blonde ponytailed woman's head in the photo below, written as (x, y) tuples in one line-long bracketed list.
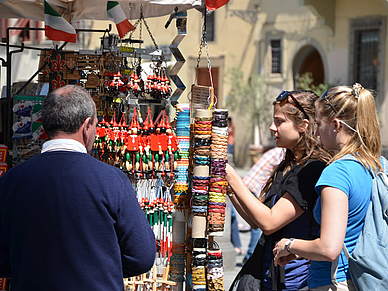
[(366, 48)]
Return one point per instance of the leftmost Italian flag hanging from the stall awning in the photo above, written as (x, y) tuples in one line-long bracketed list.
[(56, 27)]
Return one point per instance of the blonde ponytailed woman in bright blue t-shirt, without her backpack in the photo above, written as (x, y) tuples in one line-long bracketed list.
[(347, 124)]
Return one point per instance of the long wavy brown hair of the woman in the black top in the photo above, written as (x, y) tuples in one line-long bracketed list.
[(308, 147)]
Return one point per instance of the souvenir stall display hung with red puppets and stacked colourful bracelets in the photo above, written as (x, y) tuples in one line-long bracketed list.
[(176, 163)]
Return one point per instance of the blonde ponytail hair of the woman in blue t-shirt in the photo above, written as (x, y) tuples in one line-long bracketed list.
[(357, 111)]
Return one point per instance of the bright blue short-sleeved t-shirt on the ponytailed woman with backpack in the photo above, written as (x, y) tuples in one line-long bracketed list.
[(356, 182)]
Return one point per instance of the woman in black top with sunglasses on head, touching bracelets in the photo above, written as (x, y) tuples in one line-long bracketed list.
[(285, 205)]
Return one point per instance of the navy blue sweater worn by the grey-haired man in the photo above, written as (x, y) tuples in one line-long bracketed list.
[(70, 222)]
